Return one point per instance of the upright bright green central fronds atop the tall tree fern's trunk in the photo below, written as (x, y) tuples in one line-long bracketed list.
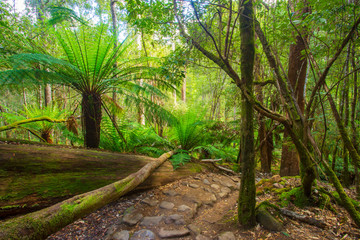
[(92, 52)]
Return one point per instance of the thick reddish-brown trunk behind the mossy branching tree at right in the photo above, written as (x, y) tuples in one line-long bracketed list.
[(297, 76)]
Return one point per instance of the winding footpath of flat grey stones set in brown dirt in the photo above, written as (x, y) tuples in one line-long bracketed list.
[(179, 210)]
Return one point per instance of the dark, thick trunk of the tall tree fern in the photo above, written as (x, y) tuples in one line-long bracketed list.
[(91, 110)]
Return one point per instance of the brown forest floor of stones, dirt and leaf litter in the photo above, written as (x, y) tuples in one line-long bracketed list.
[(203, 207)]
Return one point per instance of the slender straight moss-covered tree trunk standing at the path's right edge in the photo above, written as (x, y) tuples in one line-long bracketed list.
[(246, 207)]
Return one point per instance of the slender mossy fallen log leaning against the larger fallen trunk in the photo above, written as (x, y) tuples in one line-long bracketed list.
[(40, 224)]
